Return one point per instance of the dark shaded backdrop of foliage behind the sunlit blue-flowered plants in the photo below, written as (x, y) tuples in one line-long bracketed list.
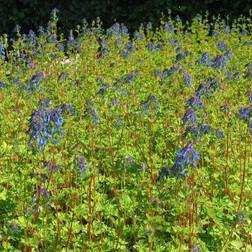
[(30, 14)]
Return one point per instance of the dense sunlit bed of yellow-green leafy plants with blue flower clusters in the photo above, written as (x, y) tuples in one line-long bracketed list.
[(100, 150)]
